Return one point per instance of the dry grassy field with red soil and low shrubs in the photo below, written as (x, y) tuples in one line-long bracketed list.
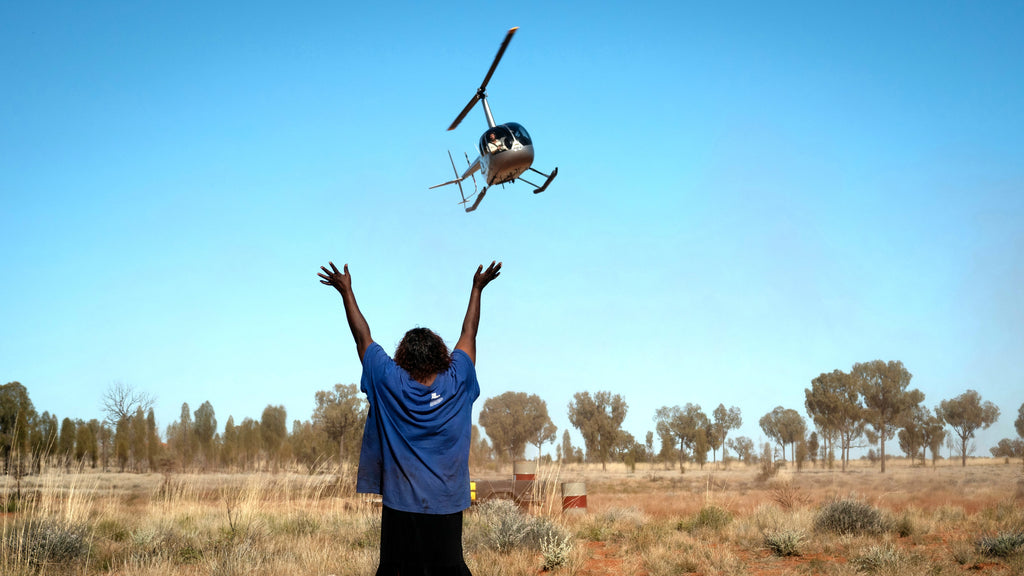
[(657, 522)]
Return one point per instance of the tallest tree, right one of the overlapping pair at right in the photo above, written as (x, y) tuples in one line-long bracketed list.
[(887, 400)]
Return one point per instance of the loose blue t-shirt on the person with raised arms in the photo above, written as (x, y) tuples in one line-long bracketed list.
[(416, 441)]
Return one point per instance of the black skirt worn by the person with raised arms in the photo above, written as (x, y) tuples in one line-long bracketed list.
[(418, 545)]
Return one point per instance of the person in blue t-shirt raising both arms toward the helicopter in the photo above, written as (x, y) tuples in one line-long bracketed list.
[(416, 442)]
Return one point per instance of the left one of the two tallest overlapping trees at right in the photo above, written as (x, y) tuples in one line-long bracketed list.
[(834, 404)]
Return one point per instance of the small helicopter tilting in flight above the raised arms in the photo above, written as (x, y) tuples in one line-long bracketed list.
[(506, 150)]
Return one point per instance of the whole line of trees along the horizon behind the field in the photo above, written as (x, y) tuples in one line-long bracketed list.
[(873, 403)]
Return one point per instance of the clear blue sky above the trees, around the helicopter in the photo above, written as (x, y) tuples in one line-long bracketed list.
[(748, 196)]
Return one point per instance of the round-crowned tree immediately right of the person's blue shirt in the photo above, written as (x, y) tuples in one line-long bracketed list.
[(514, 420)]
